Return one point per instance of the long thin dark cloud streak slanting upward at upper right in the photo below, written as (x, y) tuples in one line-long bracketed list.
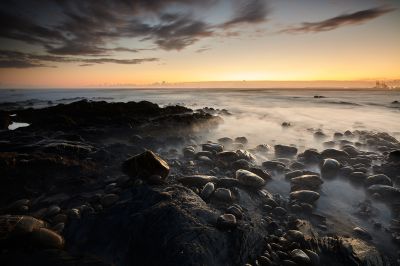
[(339, 21)]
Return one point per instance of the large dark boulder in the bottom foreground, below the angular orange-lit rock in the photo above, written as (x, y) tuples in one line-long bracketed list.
[(164, 226)]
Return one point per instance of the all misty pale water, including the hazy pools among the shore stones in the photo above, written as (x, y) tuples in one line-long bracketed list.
[(258, 115)]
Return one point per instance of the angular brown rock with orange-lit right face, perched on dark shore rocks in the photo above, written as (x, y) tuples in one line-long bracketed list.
[(146, 164)]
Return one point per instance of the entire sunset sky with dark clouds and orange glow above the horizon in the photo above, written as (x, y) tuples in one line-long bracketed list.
[(91, 43)]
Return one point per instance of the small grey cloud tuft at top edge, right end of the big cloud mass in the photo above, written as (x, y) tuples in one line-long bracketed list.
[(248, 11)]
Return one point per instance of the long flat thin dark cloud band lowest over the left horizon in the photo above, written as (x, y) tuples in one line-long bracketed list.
[(14, 59)]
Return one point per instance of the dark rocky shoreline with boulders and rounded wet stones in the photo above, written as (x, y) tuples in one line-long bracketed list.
[(97, 183)]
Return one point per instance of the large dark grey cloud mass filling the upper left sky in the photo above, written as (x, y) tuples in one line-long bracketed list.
[(67, 29)]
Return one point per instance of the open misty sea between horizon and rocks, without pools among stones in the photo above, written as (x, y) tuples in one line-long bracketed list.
[(257, 114)]
